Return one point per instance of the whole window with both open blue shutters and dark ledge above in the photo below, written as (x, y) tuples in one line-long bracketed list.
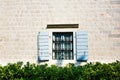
[(62, 46)]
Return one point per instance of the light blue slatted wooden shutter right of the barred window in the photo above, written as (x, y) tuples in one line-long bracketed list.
[(81, 46)]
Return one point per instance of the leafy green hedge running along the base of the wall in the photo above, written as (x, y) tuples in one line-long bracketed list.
[(90, 71)]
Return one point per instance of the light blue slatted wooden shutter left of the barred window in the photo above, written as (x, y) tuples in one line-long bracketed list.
[(43, 46)]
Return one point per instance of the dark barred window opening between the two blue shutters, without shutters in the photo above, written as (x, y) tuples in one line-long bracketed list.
[(62, 47)]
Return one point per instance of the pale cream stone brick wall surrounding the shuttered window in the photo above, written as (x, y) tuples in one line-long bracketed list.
[(21, 20)]
